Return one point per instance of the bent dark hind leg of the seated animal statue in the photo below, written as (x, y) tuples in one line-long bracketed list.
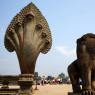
[(74, 77)]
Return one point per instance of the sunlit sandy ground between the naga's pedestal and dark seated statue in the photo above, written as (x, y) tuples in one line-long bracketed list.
[(53, 90)]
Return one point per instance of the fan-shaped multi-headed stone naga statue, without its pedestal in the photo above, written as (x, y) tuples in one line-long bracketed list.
[(28, 34)]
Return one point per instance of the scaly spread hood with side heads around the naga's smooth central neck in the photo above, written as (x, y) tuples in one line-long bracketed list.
[(14, 36)]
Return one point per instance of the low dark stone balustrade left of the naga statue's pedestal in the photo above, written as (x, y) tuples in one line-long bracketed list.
[(6, 80)]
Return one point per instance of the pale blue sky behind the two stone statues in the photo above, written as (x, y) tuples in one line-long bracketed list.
[(68, 20)]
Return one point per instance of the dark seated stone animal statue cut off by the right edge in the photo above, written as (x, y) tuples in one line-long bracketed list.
[(84, 66)]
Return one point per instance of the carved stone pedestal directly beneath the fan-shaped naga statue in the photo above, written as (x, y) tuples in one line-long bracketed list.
[(25, 82)]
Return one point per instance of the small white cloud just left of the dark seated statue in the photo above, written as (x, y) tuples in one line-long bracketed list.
[(65, 51)]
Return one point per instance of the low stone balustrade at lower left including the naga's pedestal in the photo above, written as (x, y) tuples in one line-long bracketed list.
[(23, 81)]
